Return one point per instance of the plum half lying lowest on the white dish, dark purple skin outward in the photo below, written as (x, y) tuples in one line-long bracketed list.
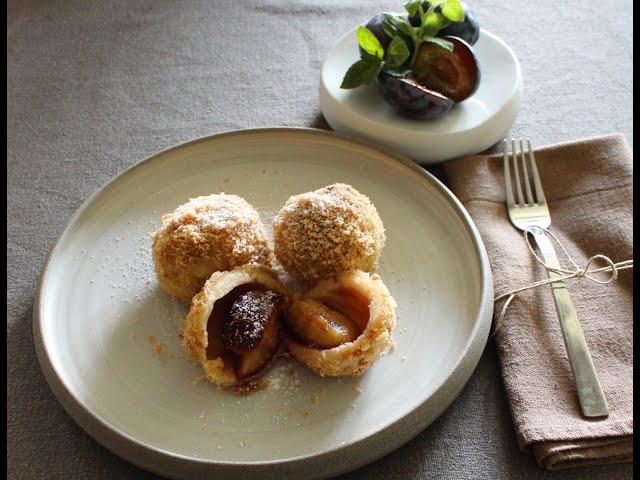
[(412, 99)]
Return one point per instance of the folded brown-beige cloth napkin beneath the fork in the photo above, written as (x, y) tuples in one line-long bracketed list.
[(588, 185)]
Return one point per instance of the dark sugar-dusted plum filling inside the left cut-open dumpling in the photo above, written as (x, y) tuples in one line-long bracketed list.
[(243, 329)]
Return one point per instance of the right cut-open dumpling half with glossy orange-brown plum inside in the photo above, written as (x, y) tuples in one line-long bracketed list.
[(342, 325)]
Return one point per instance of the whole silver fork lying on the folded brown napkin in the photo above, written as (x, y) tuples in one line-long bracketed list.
[(532, 215)]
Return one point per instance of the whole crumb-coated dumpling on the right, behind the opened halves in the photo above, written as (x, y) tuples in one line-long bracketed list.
[(330, 230)]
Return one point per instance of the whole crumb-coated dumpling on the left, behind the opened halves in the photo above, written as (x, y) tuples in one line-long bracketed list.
[(205, 235)]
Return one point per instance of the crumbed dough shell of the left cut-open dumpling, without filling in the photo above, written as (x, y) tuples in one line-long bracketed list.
[(194, 334)]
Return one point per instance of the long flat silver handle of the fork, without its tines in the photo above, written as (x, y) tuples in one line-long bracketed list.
[(592, 400)]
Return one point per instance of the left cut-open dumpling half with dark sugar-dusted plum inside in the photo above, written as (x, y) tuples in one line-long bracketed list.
[(233, 326)]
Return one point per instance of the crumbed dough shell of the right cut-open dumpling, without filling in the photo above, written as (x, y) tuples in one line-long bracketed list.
[(352, 358)]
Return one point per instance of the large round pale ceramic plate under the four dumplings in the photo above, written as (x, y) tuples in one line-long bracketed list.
[(100, 316)]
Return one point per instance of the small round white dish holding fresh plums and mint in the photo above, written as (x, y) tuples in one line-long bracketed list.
[(469, 127)]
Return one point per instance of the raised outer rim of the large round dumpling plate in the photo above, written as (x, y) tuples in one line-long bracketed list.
[(177, 465)]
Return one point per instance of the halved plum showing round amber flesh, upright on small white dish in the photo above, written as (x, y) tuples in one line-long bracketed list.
[(455, 74)]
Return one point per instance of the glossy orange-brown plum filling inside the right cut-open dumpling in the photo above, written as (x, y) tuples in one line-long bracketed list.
[(330, 320)]
